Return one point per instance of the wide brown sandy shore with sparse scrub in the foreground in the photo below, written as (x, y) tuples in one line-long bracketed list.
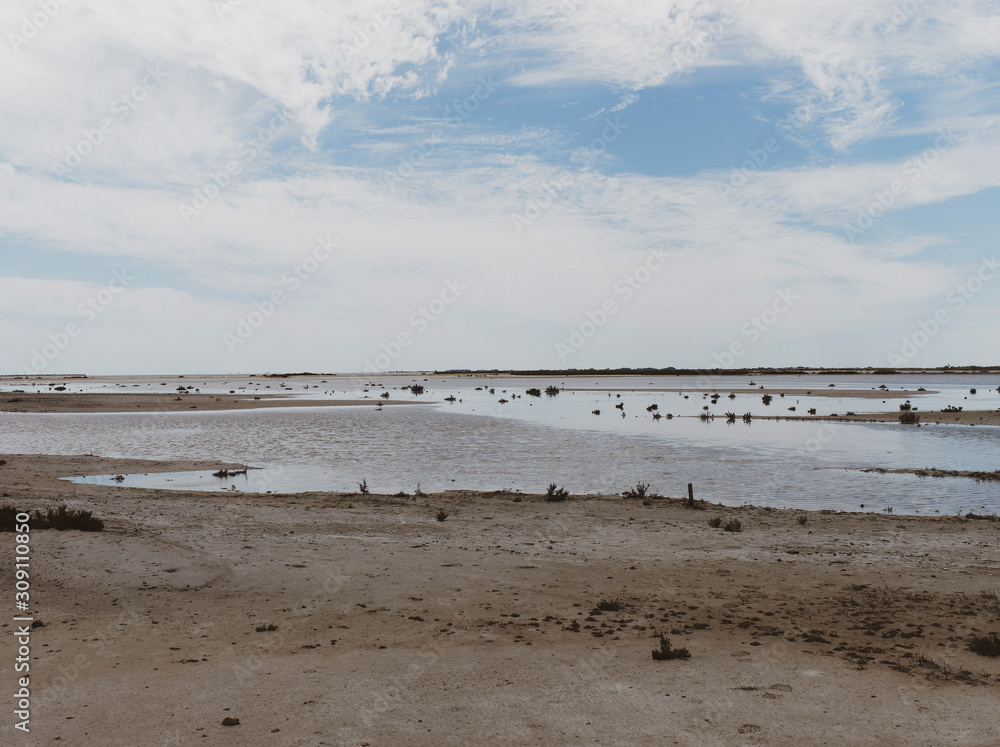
[(394, 628)]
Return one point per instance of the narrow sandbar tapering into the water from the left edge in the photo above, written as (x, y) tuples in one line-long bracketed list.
[(170, 402)]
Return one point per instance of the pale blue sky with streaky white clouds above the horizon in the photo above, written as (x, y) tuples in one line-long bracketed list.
[(239, 186)]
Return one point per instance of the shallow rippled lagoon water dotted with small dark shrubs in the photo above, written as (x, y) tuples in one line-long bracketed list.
[(479, 444)]
